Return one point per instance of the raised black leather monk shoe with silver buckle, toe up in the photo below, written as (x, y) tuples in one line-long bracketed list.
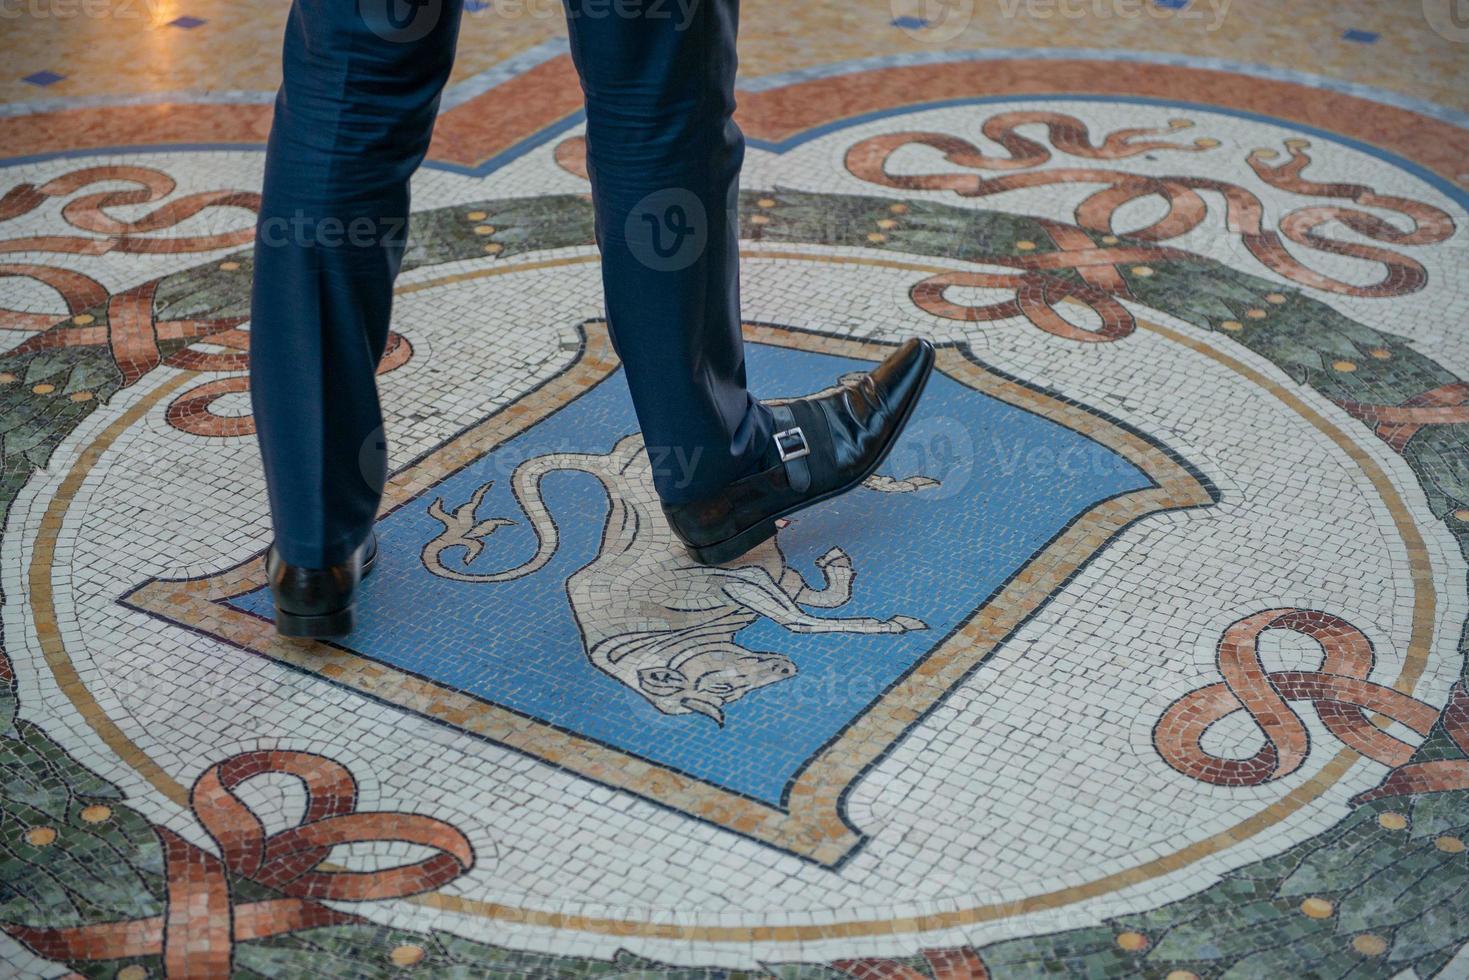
[(828, 444)]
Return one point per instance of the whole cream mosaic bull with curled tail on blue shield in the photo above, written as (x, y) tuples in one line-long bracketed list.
[(649, 616)]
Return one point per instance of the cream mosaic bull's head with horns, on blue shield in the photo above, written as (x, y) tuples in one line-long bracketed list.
[(710, 680)]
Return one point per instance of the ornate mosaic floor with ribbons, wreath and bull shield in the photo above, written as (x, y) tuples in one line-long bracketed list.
[(1142, 657)]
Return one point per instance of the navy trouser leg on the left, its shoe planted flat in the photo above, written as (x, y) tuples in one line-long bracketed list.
[(362, 83)]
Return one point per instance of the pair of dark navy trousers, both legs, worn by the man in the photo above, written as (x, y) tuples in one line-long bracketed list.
[(353, 121)]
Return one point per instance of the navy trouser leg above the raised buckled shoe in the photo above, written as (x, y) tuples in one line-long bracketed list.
[(665, 156)]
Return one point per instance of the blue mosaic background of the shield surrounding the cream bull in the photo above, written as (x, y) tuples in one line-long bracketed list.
[(518, 644)]
